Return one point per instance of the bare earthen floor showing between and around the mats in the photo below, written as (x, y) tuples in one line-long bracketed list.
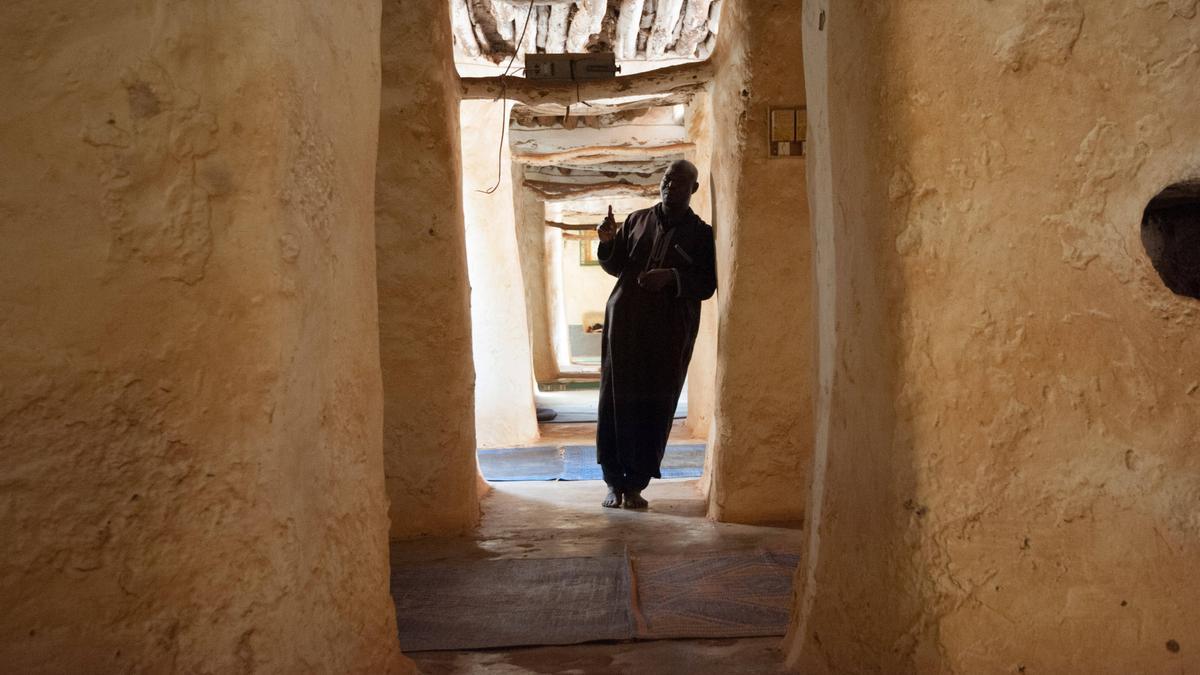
[(566, 521)]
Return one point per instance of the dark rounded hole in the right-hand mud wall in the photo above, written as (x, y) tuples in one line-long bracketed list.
[(1171, 232)]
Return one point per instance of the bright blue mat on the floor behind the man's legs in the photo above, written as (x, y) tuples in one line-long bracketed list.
[(575, 463)]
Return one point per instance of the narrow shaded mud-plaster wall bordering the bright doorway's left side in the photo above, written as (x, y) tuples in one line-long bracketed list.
[(424, 291)]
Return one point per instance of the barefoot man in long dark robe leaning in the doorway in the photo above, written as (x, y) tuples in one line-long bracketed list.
[(664, 261)]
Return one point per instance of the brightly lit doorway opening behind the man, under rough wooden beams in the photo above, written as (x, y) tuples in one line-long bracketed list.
[(561, 165)]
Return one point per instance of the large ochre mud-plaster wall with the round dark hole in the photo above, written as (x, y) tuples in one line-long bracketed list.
[(1028, 497)]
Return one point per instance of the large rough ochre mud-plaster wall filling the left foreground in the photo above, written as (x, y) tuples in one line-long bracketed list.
[(190, 398)]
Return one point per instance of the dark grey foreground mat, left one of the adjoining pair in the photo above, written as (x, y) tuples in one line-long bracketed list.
[(503, 604)]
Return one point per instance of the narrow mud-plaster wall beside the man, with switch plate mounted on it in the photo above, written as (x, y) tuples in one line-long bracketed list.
[(761, 452)]
